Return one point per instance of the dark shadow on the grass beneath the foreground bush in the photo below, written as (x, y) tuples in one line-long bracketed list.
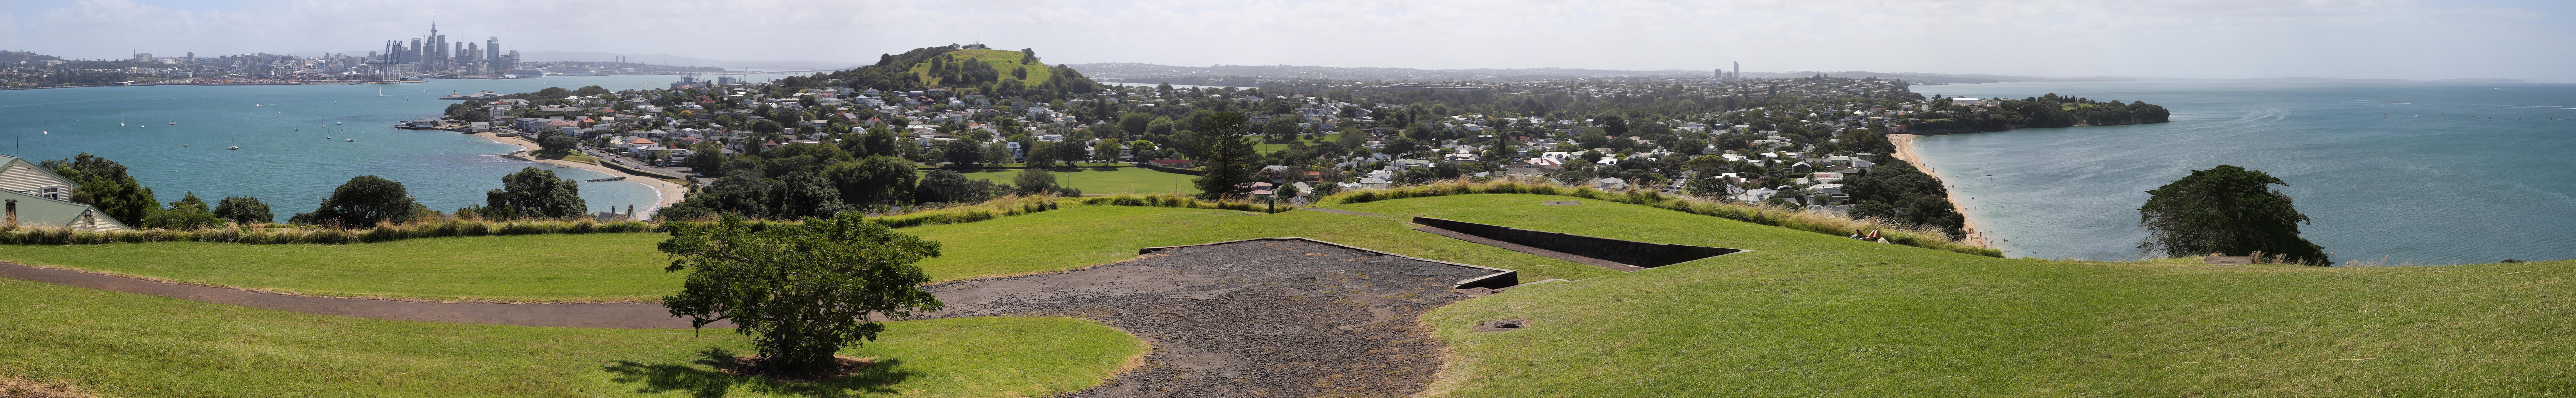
[(702, 379)]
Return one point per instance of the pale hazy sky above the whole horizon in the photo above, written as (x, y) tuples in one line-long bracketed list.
[(2369, 40)]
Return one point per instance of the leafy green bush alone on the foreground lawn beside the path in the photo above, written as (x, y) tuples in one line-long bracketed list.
[(802, 291)]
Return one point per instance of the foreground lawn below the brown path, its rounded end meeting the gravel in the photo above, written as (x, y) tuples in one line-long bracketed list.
[(138, 345)]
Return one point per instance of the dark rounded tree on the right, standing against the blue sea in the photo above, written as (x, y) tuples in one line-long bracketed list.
[(2227, 212)]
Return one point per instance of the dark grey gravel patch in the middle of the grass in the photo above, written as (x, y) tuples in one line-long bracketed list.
[(1261, 317)]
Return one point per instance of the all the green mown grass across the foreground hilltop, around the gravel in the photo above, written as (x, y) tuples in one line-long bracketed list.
[(1799, 315)]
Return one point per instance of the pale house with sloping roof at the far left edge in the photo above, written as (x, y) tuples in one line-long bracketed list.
[(37, 196)]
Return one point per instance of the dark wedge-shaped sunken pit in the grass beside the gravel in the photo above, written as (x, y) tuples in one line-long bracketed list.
[(1616, 250)]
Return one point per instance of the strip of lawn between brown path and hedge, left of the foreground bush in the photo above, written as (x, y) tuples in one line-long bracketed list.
[(470, 268)]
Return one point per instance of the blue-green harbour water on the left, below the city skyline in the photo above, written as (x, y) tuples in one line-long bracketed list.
[(282, 132)]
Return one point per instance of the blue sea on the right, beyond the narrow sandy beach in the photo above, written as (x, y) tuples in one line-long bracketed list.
[(2436, 173)]
